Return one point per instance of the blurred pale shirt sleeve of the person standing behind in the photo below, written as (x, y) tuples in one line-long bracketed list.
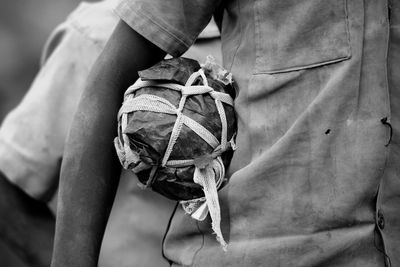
[(32, 136)]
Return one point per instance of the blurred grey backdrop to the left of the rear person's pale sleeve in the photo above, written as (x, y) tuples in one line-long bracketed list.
[(24, 28)]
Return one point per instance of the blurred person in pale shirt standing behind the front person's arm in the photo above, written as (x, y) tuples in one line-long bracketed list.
[(32, 143)]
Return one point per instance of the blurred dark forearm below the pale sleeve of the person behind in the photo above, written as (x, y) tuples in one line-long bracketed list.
[(26, 225)]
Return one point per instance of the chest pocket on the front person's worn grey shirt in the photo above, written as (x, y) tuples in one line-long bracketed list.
[(299, 34)]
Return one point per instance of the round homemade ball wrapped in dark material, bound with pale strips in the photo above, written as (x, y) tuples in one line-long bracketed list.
[(176, 117)]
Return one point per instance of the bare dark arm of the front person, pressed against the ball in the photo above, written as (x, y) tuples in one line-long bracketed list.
[(90, 169)]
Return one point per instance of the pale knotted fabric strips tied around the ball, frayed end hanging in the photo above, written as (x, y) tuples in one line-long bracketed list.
[(209, 175)]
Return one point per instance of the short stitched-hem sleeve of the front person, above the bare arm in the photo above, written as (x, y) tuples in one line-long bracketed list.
[(171, 25)]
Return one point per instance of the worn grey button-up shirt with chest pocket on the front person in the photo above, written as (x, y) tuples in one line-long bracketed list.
[(315, 178)]
